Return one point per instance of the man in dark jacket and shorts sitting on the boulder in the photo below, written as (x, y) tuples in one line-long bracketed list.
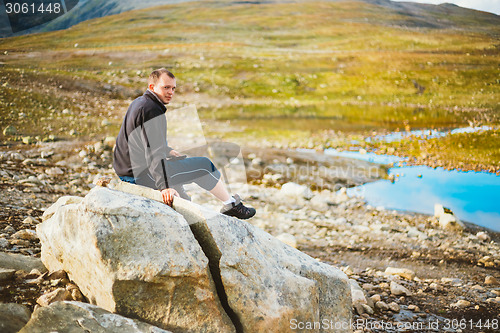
[(142, 155)]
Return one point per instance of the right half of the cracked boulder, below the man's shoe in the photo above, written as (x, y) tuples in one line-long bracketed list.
[(267, 283)]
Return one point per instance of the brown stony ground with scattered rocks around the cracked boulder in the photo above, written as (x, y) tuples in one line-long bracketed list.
[(451, 277)]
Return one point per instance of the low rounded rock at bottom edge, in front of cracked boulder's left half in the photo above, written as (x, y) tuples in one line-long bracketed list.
[(83, 317)]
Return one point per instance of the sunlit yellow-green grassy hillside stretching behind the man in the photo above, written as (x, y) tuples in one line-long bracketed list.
[(314, 74)]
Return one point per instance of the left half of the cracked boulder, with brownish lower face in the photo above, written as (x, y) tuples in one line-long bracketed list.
[(136, 257)]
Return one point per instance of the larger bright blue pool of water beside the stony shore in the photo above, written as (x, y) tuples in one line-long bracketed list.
[(472, 196)]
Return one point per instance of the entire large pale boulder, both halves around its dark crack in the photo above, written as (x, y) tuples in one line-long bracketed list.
[(141, 258)]
